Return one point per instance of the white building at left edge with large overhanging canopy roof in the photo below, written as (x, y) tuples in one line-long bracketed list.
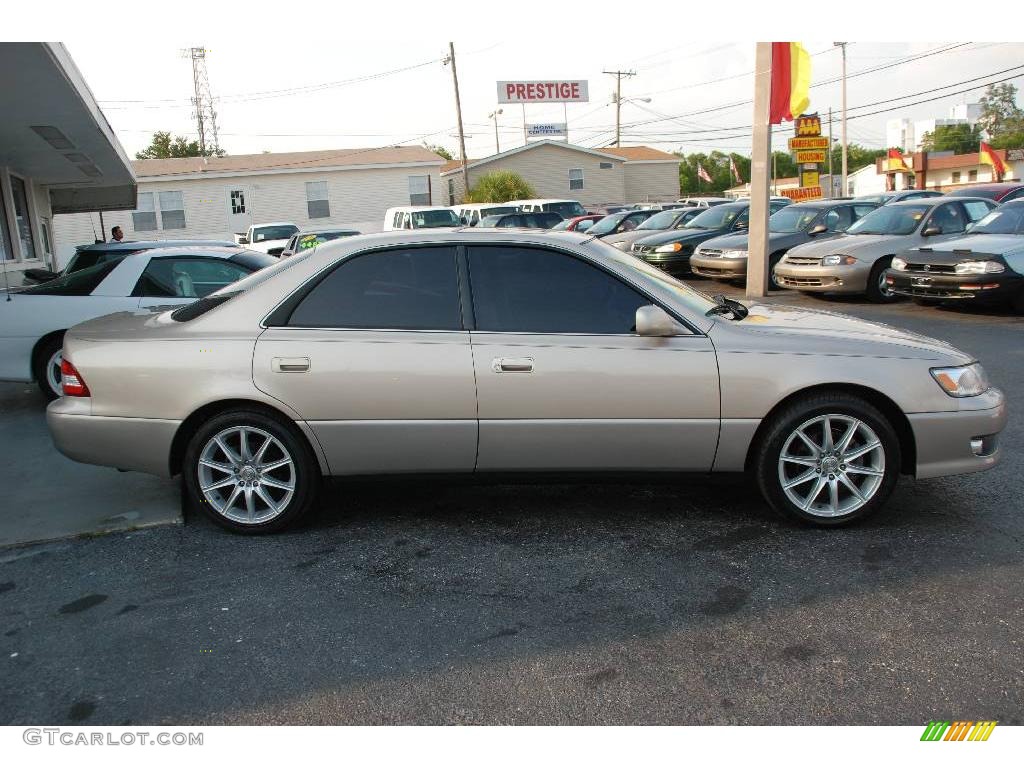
[(58, 154)]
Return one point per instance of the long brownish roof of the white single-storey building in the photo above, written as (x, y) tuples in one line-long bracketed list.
[(285, 161)]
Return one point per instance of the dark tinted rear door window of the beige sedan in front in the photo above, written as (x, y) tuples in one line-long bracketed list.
[(414, 289)]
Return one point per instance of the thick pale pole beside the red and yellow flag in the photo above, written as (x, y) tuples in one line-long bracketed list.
[(757, 263)]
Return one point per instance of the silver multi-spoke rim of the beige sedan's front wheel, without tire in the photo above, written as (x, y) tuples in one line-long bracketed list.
[(832, 465)]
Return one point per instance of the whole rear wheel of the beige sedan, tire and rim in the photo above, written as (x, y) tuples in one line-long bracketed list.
[(251, 473)]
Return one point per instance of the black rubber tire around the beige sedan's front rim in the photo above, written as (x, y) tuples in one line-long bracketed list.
[(783, 426)]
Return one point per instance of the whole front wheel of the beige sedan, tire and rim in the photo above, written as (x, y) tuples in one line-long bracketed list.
[(830, 460)]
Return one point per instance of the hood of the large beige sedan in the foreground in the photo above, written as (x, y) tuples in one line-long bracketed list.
[(813, 330)]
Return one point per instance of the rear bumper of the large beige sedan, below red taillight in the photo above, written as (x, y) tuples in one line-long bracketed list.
[(141, 445)]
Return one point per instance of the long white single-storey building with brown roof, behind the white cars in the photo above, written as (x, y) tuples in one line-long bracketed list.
[(217, 198)]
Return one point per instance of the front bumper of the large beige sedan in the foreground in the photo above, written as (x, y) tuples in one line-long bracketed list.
[(945, 440)]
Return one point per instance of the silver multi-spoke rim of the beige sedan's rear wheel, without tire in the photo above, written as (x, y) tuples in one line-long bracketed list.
[(247, 476)]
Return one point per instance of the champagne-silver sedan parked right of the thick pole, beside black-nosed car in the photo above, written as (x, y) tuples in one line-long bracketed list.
[(858, 263)]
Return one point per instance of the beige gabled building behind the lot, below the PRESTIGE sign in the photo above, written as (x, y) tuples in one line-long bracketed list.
[(556, 169)]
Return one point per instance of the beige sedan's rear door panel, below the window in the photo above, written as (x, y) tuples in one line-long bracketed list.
[(377, 401)]
